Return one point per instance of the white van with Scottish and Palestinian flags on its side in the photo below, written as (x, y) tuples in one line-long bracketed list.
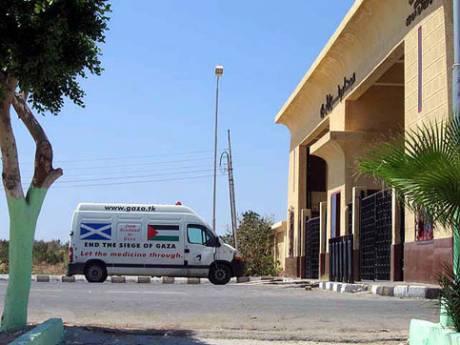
[(152, 240)]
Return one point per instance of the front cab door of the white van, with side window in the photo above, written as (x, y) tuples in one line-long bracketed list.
[(198, 254)]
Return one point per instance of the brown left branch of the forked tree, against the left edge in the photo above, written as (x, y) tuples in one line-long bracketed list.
[(11, 175)]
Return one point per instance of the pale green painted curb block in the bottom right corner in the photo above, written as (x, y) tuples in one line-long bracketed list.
[(428, 333)]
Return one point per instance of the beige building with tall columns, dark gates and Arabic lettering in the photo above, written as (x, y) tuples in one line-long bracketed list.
[(387, 68)]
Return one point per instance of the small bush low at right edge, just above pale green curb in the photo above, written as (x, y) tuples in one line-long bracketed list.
[(450, 295)]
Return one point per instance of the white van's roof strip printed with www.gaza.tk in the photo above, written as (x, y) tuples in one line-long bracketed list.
[(142, 208)]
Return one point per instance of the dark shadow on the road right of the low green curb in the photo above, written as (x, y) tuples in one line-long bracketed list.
[(91, 335)]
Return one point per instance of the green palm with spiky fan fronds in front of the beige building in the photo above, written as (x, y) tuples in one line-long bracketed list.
[(423, 167)]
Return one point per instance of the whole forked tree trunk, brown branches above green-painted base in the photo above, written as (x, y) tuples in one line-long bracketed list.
[(23, 211)]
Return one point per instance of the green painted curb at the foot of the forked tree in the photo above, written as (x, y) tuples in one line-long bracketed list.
[(50, 332)]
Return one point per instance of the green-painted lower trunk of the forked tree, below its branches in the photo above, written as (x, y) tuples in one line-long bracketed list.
[(23, 215)]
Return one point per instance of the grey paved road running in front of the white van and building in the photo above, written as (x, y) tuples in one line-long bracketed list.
[(227, 312)]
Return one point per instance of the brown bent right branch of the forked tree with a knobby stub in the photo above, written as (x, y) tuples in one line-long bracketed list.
[(44, 174)]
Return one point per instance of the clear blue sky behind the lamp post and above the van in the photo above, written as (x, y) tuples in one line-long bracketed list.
[(146, 133)]
